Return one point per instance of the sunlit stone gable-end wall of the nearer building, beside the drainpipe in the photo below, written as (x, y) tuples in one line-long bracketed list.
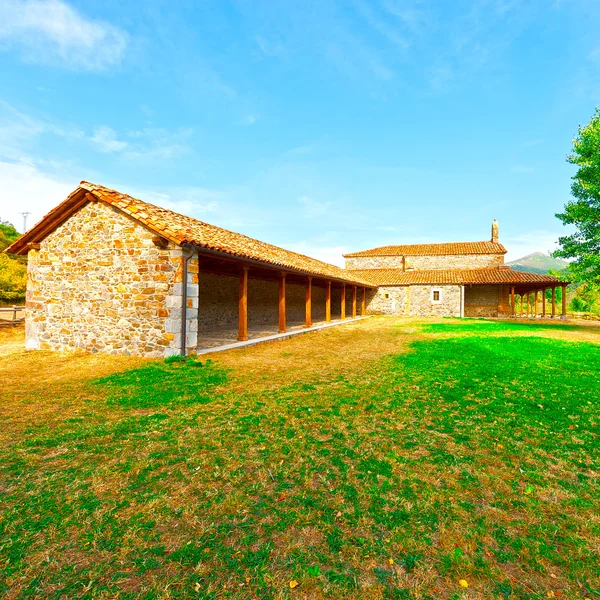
[(100, 284)]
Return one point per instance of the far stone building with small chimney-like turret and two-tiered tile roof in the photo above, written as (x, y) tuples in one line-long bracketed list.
[(460, 279)]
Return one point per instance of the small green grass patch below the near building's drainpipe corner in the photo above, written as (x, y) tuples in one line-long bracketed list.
[(164, 384)]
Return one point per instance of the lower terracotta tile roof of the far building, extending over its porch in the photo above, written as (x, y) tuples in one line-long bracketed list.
[(453, 276)]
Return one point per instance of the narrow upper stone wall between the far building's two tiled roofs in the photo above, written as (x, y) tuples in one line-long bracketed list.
[(422, 263)]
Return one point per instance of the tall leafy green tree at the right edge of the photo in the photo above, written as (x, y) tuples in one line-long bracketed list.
[(583, 210)]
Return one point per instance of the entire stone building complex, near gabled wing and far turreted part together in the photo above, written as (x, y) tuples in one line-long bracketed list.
[(111, 273)]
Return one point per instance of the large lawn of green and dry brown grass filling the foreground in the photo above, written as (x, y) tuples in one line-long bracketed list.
[(472, 456)]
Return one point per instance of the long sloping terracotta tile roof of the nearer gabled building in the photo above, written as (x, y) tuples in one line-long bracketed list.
[(180, 230)]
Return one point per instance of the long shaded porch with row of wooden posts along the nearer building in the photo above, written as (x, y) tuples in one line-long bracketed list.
[(243, 300)]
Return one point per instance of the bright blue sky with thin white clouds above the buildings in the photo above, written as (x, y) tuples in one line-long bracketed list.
[(318, 125)]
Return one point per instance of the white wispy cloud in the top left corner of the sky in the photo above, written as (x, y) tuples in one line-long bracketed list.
[(53, 32)]
